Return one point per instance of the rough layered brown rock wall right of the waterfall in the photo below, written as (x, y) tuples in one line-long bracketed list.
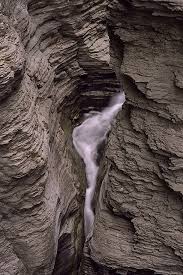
[(138, 224)]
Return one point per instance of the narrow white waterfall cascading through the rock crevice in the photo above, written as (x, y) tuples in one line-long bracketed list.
[(86, 138)]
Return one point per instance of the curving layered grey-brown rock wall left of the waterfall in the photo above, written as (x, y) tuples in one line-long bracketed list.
[(53, 55)]
